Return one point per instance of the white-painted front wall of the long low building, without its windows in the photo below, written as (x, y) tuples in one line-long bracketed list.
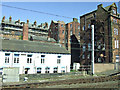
[(50, 61)]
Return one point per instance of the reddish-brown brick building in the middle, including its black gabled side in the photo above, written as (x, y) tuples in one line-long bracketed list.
[(68, 35)]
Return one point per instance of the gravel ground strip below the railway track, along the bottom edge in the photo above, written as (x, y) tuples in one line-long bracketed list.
[(110, 84)]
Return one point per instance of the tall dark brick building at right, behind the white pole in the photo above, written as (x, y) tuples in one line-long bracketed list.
[(107, 35)]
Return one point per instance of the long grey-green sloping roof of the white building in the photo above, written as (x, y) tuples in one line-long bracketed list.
[(31, 46)]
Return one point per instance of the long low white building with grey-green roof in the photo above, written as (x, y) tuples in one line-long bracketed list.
[(34, 57)]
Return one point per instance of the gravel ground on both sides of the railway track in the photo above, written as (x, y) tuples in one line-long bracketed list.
[(110, 84)]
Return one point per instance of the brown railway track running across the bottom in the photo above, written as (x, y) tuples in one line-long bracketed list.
[(112, 77)]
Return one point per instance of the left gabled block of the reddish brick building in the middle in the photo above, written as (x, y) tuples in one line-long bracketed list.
[(57, 31)]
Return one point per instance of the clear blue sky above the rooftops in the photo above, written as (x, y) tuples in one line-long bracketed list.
[(68, 9)]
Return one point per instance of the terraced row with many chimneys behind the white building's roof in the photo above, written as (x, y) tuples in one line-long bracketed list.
[(11, 29)]
